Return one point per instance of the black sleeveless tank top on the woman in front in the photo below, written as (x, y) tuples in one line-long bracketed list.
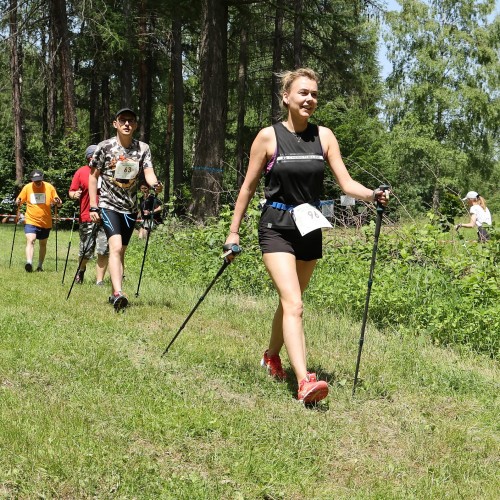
[(294, 174)]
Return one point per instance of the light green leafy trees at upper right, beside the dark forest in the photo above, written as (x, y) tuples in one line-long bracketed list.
[(442, 103)]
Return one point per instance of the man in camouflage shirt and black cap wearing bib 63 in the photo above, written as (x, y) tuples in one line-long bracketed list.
[(119, 162)]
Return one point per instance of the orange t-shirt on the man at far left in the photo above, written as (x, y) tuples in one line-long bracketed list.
[(38, 200)]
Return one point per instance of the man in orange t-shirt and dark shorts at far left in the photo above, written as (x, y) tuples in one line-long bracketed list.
[(40, 197)]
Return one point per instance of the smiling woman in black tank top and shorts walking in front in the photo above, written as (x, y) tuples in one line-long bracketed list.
[(291, 156)]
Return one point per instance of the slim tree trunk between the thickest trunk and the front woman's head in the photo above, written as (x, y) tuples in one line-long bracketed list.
[(242, 83)]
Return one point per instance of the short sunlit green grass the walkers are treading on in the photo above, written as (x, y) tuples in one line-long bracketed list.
[(90, 409)]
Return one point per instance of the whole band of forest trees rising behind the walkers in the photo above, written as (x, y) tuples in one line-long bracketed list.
[(202, 76)]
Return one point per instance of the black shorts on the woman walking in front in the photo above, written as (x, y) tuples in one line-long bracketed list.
[(307, 247)]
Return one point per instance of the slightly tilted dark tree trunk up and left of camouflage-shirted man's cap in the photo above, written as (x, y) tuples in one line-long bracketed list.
[(61, 36)]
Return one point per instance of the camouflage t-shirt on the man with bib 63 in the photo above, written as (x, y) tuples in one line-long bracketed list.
[(120, 170)]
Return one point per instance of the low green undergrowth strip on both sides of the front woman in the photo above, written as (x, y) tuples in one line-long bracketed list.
[(426, 283)]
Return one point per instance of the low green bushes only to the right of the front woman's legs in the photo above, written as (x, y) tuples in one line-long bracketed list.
[(423, 284)]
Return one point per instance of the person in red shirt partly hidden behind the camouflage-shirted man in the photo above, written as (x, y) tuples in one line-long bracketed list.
[(79, 190)]
